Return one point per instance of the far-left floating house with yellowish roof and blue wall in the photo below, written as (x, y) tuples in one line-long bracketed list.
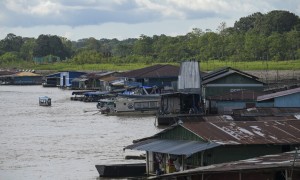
[(22, 78)]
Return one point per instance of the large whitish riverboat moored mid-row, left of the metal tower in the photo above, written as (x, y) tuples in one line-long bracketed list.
[(130, 105)]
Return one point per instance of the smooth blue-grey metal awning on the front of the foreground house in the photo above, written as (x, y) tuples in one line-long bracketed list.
[(176, 147)]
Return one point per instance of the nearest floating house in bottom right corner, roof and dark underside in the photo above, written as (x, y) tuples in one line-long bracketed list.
[(282, 166)]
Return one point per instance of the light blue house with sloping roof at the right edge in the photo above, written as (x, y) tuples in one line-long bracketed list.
[(287, 98)]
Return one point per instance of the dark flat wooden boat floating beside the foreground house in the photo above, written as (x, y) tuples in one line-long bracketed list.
[(122, 170)]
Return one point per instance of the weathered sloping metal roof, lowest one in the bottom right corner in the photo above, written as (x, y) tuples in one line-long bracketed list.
[(275, 161)]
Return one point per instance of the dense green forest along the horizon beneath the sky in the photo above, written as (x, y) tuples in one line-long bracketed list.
[(271, 36)]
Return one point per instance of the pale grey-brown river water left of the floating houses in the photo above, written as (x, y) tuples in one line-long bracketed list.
[(62, 141)]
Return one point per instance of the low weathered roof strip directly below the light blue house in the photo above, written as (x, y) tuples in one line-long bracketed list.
[(266, 111)]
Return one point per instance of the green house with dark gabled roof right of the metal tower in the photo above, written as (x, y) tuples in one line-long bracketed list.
[(224, 82)]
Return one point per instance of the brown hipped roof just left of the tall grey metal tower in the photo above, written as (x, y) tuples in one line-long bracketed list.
[(155, 71)]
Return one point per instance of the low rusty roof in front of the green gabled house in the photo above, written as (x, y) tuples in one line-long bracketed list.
[(235, 96)]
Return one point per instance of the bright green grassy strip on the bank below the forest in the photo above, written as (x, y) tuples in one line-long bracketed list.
[(204, 66)]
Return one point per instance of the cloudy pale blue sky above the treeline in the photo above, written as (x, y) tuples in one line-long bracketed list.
[(123, 19)]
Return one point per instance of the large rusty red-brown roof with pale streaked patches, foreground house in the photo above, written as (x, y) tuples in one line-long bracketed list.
[(247, 132)]
